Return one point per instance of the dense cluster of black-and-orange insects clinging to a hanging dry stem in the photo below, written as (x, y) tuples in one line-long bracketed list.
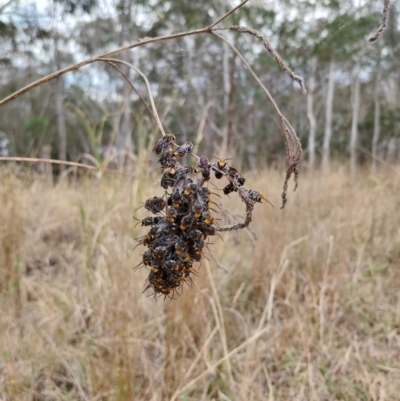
[(183, 218)]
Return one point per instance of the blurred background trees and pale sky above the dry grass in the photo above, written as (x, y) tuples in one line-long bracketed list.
[(197, 78)]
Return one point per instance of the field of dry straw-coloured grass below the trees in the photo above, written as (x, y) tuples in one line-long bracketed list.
[(310, 311)]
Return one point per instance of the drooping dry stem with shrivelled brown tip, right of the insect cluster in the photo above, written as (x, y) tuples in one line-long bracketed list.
[(293, 145)]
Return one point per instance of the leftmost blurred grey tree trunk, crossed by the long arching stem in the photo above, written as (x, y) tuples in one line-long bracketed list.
[(61, 131)]
